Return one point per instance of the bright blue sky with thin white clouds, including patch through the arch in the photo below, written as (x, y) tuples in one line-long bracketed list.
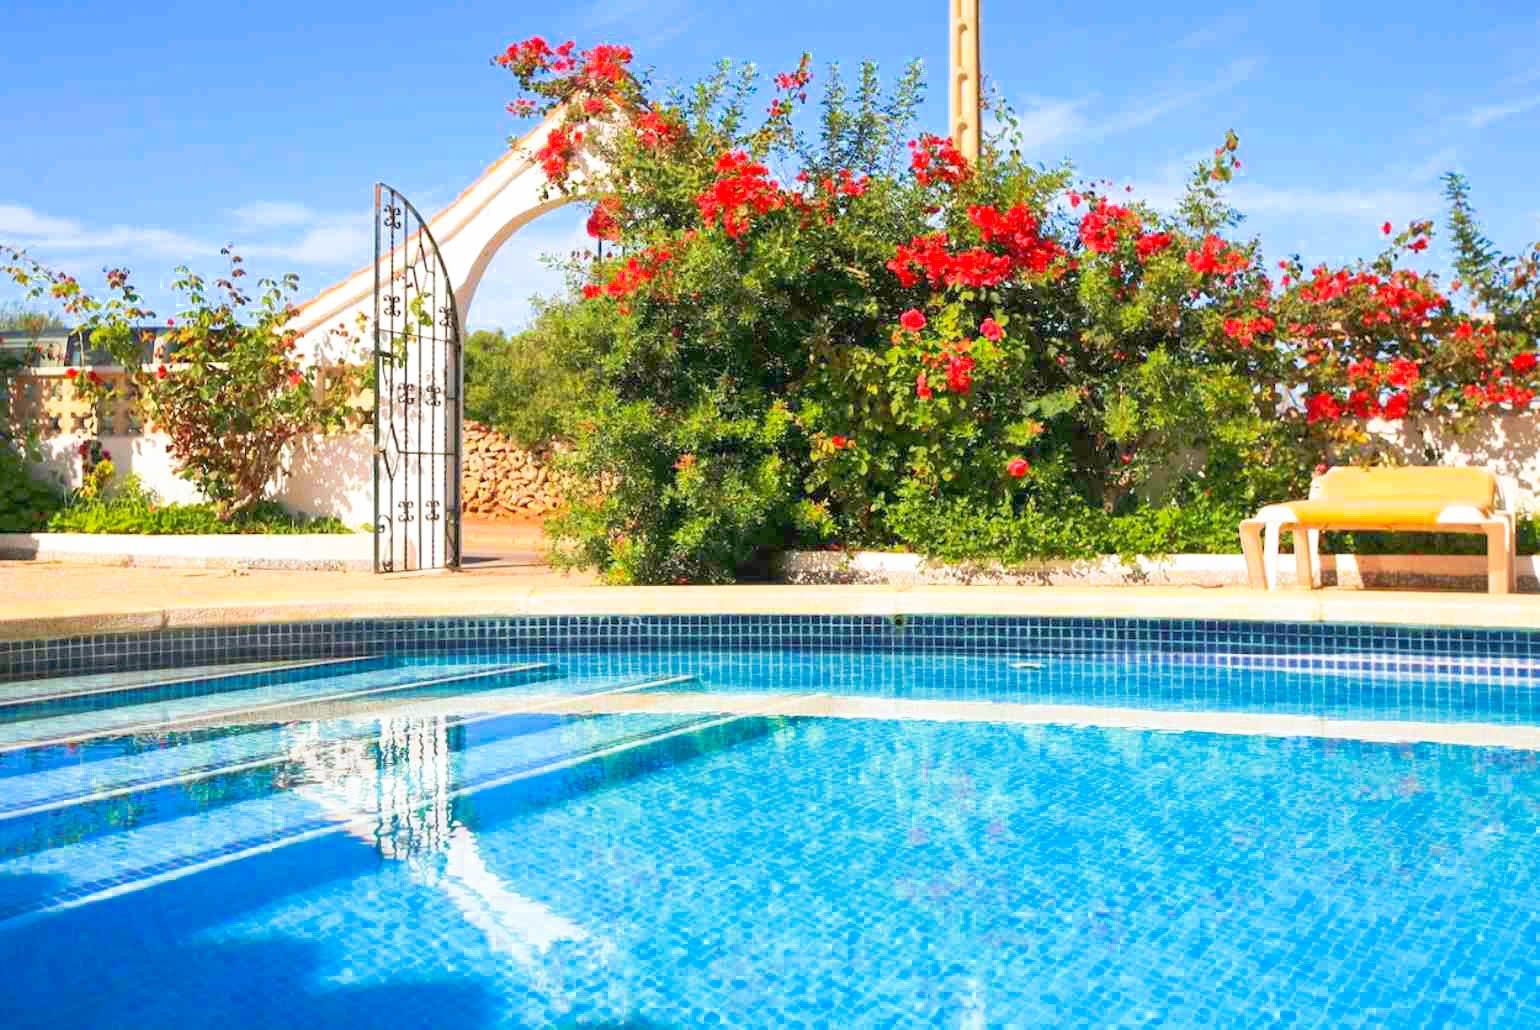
[(150, 135)]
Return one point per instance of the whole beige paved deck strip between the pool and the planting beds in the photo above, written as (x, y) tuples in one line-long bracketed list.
[(42, 600)]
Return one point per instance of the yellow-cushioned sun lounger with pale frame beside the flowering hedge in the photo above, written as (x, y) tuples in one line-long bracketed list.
[(1416, 500)]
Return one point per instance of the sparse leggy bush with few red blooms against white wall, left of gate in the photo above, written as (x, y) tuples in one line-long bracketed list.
[(223, 381)]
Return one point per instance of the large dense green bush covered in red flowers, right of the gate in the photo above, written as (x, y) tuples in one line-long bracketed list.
[(837, 329)]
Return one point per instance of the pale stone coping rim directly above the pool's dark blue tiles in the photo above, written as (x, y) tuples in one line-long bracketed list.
[(1410, 609)]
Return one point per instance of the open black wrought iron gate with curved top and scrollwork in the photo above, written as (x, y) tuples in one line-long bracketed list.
[(418, 389)]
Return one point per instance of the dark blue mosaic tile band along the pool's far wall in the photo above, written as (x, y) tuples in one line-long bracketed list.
[(1297, 644)]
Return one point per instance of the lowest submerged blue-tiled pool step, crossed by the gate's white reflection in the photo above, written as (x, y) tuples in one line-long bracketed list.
[(407, 804)]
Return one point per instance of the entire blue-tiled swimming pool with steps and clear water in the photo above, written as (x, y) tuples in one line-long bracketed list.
[(772, 821)]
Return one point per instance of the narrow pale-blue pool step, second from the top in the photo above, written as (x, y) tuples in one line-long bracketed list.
[(226, 706)]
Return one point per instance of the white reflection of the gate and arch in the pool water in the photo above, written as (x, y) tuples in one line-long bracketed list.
[(393, 792)]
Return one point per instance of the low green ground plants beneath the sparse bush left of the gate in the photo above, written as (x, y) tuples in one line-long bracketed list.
[(127, 507)]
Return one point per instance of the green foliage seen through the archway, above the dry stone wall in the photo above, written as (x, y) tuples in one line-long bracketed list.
[(521, 386)]
